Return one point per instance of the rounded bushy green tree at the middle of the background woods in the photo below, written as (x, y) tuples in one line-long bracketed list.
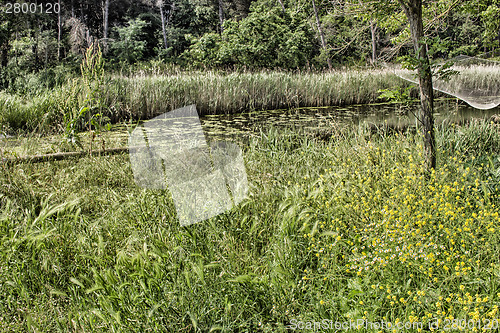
[(267, 37)]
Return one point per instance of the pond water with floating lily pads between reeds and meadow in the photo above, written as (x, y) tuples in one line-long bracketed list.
[(239, 127)]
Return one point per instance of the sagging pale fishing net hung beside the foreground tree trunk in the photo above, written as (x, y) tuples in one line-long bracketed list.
[(473, 80)]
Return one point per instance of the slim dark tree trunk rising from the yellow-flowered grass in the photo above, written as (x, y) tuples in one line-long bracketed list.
[(413, 10)]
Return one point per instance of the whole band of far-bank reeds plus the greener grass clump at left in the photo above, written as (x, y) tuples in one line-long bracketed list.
[(144, 96)]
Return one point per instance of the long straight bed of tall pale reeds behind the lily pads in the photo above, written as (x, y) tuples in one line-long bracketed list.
[(215, 93)]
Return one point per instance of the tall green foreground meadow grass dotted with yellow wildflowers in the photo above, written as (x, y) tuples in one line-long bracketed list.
[(83, 249)]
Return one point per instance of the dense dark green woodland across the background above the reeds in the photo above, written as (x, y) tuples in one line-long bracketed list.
[(254, 33)]
